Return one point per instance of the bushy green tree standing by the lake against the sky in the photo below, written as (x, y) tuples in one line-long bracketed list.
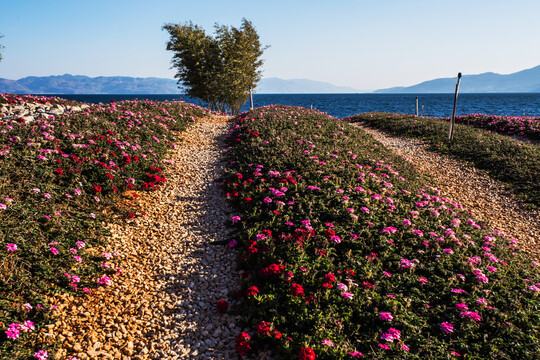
[(219, 70)]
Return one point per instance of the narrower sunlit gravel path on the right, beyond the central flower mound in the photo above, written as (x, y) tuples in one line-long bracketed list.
[(486, 198)]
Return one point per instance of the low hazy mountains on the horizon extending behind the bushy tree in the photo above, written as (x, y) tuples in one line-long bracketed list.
[(79, 84)]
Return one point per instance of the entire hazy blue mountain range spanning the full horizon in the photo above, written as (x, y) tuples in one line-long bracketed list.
[(520, 82)]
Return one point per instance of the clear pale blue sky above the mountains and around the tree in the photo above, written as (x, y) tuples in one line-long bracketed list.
[(364, 44)]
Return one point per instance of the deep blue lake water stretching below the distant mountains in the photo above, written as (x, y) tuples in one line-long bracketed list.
[(343, 105)]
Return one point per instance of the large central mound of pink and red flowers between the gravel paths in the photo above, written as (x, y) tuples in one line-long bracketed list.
[(348, 253)]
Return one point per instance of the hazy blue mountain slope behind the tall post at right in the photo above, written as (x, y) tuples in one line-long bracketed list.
[(525, 81)]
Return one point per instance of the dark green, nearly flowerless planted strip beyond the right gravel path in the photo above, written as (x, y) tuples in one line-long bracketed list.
[(515, 162)]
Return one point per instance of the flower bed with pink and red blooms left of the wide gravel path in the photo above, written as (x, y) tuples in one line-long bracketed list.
[(60, 179)]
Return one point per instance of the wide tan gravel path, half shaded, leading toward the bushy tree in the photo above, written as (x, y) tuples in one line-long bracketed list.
[(163, 304)]
